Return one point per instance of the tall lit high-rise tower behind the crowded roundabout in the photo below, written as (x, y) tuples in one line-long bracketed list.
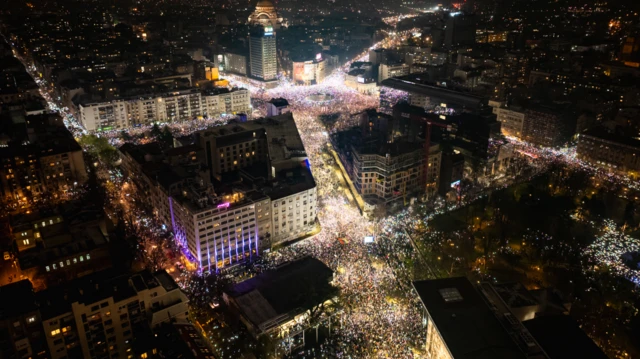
[(262, 53)]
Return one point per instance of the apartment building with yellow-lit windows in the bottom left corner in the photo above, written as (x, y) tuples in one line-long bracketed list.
[(100, 316)]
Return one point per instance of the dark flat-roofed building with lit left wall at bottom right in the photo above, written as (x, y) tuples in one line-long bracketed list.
[(500, 321)]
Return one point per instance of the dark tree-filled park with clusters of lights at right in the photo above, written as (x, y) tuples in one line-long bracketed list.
[(563, 230)]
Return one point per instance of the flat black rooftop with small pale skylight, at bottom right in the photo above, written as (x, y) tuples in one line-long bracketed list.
[(464, 320)]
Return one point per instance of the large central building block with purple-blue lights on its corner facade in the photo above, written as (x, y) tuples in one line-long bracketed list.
[(222, 196)]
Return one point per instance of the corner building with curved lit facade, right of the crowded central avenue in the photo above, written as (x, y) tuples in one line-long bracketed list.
[(385, 162)]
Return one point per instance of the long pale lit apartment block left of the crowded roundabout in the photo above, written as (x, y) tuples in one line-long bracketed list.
[(162, 107)]
